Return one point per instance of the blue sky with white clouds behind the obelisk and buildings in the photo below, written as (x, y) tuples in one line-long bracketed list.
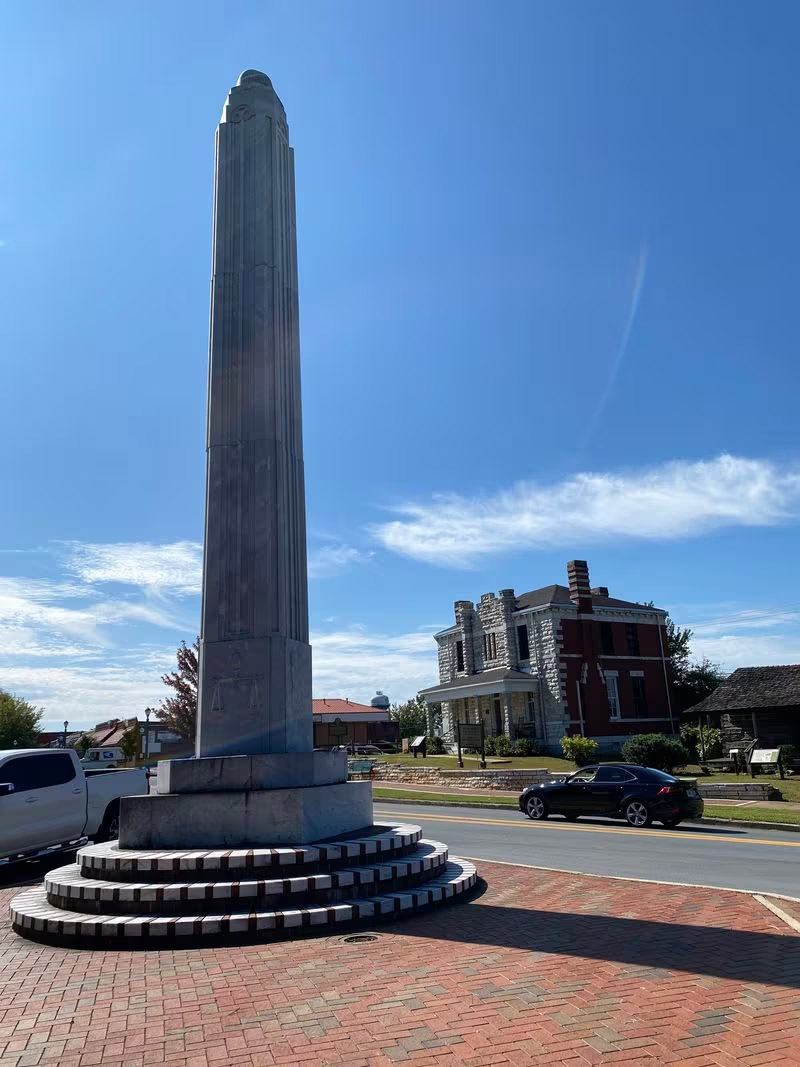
[(549, 310)]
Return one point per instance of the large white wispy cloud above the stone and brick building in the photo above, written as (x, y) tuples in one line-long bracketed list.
[(674, 501)]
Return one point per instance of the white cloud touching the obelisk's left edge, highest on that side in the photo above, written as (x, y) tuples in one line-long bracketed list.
[(173, 568)]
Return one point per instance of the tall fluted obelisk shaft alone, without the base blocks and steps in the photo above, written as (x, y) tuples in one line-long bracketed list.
[(255, 690)]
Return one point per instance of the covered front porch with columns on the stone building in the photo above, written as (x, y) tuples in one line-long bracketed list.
[(504, 699)]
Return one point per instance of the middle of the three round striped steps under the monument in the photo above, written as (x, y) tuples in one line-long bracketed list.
[(67, 888)]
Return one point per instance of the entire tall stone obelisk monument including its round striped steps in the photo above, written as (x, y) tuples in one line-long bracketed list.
[(258, 834)]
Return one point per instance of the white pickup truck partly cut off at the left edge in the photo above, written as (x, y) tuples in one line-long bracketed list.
[(49, 803)]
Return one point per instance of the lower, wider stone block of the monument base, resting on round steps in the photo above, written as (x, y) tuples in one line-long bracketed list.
[(244, 818)]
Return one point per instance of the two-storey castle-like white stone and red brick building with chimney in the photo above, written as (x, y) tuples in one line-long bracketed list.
[(556, 661)]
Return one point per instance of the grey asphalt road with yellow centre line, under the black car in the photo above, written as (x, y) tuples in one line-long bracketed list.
[(764, 862)]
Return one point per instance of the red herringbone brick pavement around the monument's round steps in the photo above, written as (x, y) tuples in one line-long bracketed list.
[(543, 968)]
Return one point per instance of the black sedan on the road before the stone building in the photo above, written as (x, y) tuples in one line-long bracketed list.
[(620, 790)]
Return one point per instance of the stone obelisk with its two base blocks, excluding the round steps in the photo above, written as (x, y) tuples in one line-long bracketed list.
[(255, 777)]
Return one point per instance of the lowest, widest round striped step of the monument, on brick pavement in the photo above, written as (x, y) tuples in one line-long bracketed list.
[(31, 914)]
